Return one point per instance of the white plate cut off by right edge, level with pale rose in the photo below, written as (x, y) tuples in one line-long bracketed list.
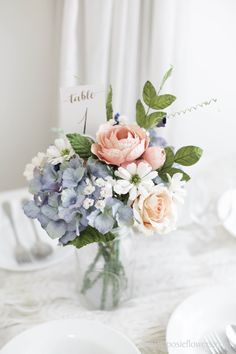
[(227, 211)]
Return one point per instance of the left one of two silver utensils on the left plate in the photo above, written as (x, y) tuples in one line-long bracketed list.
[(21, 254)]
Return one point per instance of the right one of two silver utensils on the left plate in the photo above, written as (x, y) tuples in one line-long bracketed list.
[(40, 249)]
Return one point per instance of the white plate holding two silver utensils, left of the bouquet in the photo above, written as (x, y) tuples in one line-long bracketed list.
[(26, 236)]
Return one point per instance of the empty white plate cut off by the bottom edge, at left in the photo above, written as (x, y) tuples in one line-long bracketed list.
[(70, 337)]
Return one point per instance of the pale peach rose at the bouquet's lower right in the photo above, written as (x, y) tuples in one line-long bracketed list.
[(155, 213)]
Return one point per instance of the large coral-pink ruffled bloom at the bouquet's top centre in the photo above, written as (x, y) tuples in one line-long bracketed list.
[(119, 144)]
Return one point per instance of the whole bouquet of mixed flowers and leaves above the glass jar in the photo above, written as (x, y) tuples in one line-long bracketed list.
[(84, 189)]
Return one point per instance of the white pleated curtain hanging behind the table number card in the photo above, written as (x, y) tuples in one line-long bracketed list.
[(117, 42)]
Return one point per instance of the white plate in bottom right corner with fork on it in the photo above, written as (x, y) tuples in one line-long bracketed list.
[(205, 312)]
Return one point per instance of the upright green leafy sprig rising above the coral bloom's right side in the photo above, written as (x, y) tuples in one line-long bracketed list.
[(149, 116)]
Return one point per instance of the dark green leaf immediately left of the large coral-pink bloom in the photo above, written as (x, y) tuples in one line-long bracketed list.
[(81, 144)]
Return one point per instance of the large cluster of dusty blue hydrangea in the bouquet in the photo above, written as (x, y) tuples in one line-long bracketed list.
[(59, 195)]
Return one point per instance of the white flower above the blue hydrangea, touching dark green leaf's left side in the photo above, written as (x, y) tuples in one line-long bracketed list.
[(60, 151)]
